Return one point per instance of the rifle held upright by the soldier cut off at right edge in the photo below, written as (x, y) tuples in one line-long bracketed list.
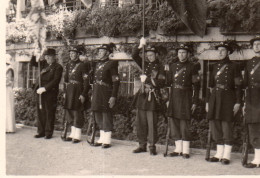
[(245, 142)]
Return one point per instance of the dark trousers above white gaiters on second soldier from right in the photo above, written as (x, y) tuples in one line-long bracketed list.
[(221, 132)]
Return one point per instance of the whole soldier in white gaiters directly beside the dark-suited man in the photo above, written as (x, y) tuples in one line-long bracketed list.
[(76, 86)]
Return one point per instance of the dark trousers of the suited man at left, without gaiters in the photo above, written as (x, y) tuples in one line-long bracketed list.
[(46, 115)]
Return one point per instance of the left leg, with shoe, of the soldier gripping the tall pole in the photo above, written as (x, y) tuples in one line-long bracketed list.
[(142, 130)]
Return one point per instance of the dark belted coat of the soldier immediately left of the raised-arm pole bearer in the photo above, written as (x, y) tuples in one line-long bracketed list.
[(105, 84)]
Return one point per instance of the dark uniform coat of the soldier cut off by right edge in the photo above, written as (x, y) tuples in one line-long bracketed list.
[(252, 85)]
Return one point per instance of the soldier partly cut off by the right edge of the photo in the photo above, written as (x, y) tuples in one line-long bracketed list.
[(252, 105)]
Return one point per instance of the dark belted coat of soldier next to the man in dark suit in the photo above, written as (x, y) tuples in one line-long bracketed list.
[(76, 83)]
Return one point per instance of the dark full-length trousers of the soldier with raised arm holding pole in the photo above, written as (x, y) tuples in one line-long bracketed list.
[(146, 124)]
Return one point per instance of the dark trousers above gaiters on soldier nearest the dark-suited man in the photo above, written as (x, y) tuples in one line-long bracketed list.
[(75, 117)]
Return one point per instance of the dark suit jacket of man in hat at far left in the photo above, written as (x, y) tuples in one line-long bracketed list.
[(50, 75)]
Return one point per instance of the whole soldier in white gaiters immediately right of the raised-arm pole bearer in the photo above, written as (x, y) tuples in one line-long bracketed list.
[(184, 81)]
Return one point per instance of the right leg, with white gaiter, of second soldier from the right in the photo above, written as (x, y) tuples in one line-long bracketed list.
[(228, 139)]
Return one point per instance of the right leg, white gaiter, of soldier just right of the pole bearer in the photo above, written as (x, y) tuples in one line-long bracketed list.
[(185, 135)]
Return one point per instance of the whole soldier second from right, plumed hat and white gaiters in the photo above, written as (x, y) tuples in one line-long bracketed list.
[(223, 101)]
